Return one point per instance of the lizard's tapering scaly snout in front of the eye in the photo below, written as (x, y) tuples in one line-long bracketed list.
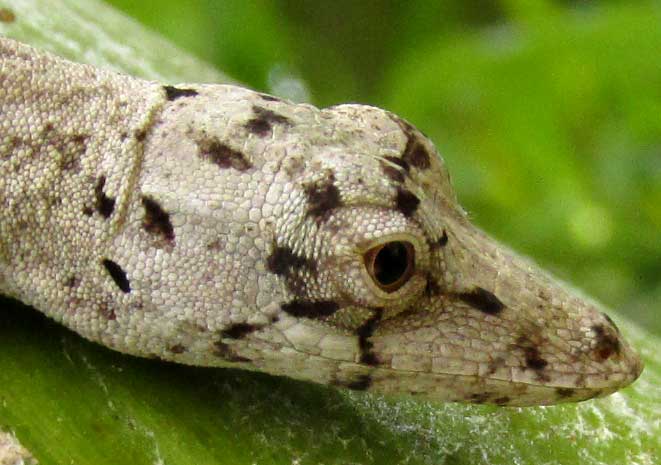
[(505, 333)]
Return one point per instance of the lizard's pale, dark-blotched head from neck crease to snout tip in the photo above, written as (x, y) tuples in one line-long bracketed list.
[(343, 257)]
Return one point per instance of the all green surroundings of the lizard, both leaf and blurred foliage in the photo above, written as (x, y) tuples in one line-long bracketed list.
[(546, 113)]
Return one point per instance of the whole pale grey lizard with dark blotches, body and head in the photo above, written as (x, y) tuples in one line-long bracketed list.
[(212, 225)]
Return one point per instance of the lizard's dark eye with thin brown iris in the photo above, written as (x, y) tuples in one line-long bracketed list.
[(390, 265)]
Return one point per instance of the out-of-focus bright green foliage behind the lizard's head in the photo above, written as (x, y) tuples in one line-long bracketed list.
[(548, 113)]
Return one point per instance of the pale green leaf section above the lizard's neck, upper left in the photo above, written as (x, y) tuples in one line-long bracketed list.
[(91, 32)]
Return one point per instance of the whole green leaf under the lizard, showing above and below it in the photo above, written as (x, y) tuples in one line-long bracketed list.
[(71, 401)]
